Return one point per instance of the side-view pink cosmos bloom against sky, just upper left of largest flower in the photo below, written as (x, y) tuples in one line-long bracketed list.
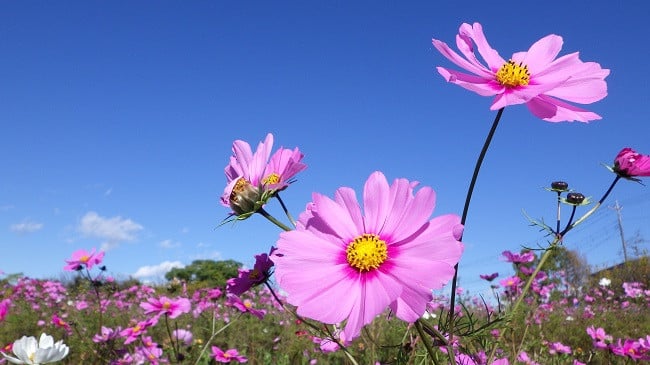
[(251, 177)]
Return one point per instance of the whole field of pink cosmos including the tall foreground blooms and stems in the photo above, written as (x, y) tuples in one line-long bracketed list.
[(364, 277)]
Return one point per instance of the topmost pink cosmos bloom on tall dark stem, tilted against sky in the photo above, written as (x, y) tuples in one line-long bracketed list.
[(535, 78)]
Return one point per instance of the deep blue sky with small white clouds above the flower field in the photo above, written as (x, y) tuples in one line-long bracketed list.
[(118, 118)]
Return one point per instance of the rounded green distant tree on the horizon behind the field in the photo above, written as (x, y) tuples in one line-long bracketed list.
[(206, 272)]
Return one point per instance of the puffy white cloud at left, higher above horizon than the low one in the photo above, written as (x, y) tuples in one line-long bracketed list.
[(113, 230)]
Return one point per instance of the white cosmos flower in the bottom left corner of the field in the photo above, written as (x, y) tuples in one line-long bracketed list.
[(28, 351)]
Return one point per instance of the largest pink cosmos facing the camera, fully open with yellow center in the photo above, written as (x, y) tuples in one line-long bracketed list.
[(389, 255)]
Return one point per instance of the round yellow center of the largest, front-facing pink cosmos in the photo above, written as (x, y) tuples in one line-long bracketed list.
[(366, 252)]
